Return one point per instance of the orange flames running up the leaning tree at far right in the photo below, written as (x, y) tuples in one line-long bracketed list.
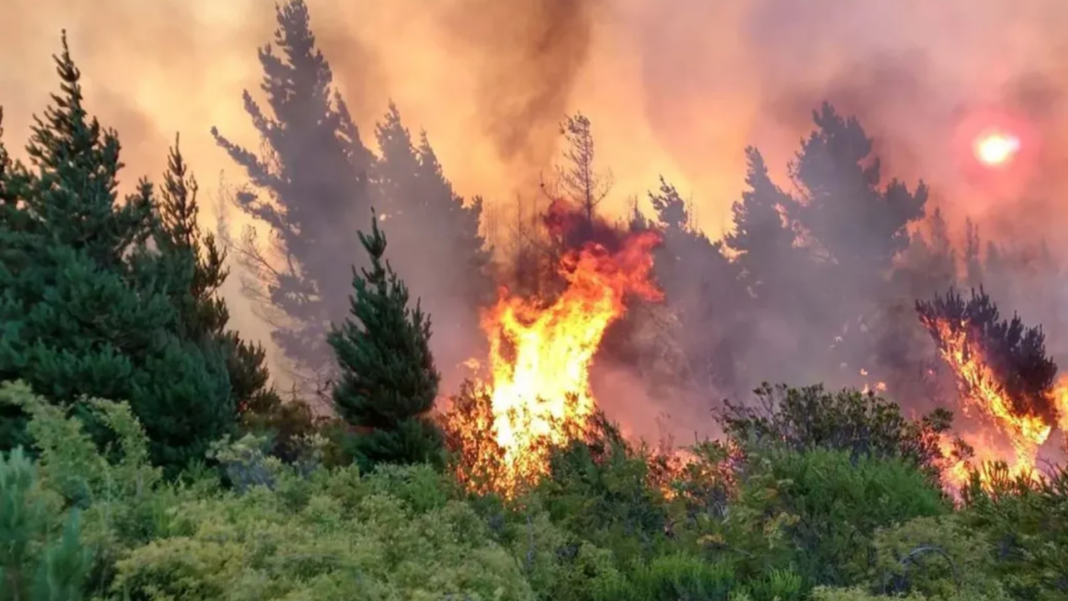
[(981, 390)]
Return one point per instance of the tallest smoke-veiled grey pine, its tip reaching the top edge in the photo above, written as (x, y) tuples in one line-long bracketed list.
[(316, 170)]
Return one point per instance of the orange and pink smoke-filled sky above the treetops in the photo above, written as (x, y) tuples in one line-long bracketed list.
[(678, 88)]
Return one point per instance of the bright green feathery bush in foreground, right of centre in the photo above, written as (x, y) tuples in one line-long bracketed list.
[(816, 512)]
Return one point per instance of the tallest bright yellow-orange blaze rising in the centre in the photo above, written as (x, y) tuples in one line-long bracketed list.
[(541, 352)]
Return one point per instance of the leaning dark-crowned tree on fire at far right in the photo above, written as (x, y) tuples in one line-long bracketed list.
[(1001, 369)]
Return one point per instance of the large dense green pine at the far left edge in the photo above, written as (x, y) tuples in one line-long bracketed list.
[(86, 308)]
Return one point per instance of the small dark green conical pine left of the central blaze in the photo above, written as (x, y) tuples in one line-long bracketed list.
[(388, 382)]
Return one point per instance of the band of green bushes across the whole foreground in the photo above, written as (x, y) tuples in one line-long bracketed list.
[(81, 521)]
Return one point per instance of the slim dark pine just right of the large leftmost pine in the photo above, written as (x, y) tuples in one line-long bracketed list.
[(205, 315)]
